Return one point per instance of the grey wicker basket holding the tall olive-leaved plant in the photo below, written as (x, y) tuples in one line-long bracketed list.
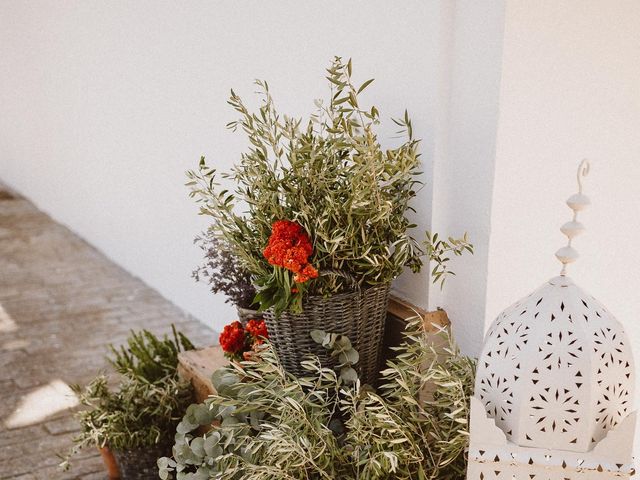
[(360, 315)]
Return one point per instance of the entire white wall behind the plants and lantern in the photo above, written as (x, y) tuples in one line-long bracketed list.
[(105, 105)]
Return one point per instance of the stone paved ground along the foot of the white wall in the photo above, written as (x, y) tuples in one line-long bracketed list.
[(61, 304)]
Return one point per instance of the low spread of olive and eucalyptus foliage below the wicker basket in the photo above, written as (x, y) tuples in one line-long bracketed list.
[(275, 426)]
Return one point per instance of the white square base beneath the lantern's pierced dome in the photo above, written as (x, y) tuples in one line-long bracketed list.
[(493, 457)]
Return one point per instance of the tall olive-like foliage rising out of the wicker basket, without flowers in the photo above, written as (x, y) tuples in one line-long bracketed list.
[(331, 175)]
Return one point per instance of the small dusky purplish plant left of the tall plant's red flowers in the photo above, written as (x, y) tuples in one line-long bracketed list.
[(225, 274)]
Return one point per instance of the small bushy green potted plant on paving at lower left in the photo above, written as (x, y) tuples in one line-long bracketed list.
[(136, 420)]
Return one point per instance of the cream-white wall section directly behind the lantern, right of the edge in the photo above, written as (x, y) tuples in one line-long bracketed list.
[(570, 89)]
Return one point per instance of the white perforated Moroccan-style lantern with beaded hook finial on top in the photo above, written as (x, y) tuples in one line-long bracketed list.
[(554, 386)]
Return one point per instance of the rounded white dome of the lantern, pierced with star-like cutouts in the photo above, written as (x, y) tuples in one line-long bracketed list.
[(556, 370)]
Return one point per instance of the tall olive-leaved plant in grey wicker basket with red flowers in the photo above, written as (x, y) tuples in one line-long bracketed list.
[(318, 218)]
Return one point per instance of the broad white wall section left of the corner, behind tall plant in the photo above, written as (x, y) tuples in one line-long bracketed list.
[(104, 105)]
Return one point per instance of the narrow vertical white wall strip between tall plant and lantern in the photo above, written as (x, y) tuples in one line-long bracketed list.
[(464, 165)]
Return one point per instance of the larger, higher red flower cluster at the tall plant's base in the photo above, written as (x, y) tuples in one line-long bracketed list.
[(290, 247)]
